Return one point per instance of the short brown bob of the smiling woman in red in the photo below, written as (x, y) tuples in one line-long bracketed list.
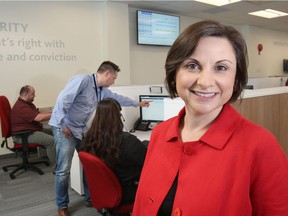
[(185, 45)]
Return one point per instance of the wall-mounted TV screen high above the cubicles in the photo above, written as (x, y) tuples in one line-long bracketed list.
[(157, 28)]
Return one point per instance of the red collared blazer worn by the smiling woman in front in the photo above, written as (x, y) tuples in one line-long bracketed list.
[(236, 168)]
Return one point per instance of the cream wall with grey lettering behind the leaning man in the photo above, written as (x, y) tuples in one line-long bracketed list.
[(89, 31)]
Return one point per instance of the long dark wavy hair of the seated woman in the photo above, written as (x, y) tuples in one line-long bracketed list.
[(103, 139)]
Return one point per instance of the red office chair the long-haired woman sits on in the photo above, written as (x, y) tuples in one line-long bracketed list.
[(104, 187)]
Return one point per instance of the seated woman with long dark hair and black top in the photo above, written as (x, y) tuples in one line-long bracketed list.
[(123, 152)]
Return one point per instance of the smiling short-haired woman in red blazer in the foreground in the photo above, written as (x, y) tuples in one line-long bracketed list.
[(209, 160)]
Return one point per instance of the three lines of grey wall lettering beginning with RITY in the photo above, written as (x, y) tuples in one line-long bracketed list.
[(19, 44)]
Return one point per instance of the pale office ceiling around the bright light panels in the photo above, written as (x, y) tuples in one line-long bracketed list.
[(234, 14)]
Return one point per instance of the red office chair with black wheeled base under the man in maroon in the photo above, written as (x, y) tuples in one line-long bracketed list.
[(25, 148)]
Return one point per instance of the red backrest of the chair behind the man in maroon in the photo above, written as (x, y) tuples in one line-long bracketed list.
[(5, 110)]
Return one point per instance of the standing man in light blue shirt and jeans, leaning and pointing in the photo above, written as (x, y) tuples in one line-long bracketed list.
[(74, 107)]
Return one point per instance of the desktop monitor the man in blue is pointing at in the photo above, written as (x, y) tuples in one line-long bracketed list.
[(155, 112)]
